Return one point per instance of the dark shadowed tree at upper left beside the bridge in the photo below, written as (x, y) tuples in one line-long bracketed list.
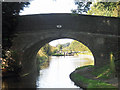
[(10, 12)]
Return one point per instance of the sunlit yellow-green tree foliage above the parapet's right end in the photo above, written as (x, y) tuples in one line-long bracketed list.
[(103, 8)]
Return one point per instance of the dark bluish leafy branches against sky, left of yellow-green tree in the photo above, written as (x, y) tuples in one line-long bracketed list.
[(82, 7)]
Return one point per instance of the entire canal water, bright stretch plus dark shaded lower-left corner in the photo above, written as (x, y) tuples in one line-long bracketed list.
[(55, 75)]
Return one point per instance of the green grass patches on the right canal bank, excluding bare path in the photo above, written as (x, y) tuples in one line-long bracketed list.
[(100, 73)]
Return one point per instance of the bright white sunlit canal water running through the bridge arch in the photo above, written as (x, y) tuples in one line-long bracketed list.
[(56, 75)]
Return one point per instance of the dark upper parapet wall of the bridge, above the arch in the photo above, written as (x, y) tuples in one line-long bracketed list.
[(69, 22)]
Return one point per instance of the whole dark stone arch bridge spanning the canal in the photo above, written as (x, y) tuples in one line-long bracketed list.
[(99, 34)]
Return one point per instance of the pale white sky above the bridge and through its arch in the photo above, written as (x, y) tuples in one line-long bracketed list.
[(50, 6)]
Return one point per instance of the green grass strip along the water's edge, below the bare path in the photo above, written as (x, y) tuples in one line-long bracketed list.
[(91, 83)]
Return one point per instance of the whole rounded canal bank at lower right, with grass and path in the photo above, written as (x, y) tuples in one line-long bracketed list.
[(86, 77)]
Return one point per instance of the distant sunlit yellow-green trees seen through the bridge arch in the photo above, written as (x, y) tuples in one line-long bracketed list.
[(73, 48)]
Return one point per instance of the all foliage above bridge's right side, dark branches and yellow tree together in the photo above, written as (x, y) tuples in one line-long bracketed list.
[(111, 9)]
